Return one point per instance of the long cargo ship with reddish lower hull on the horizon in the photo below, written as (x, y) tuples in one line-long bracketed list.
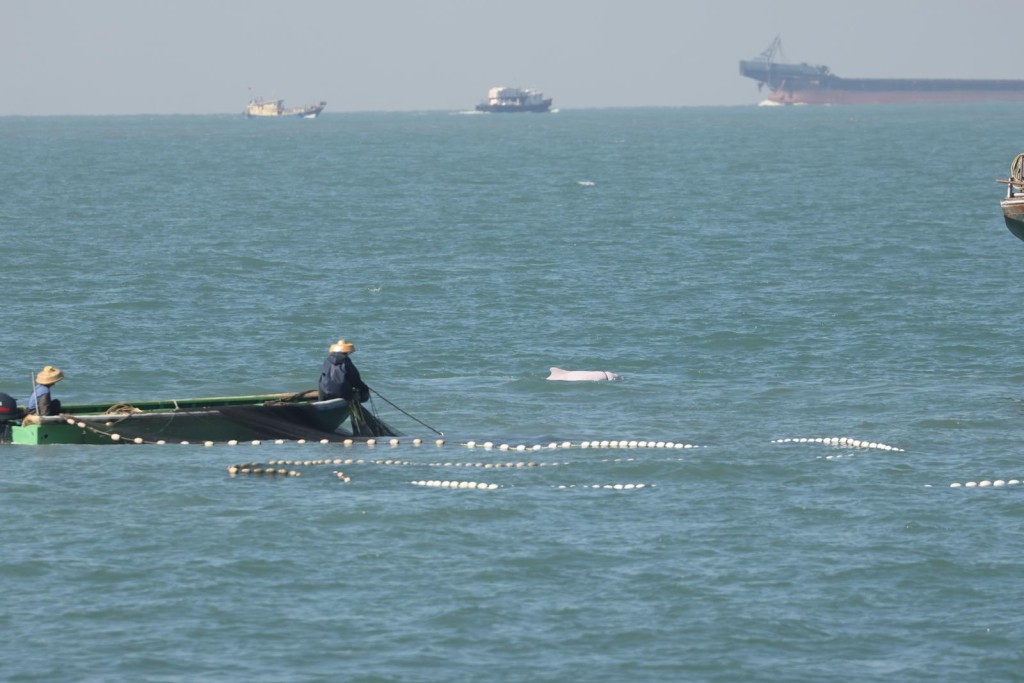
[(810, 84)]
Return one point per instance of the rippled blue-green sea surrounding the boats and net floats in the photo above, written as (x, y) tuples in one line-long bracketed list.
[(808, 472)]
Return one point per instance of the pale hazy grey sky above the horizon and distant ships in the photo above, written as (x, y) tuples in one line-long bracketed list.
[(199, 57)]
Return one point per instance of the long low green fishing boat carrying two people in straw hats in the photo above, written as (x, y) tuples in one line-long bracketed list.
[(226, 419)]
